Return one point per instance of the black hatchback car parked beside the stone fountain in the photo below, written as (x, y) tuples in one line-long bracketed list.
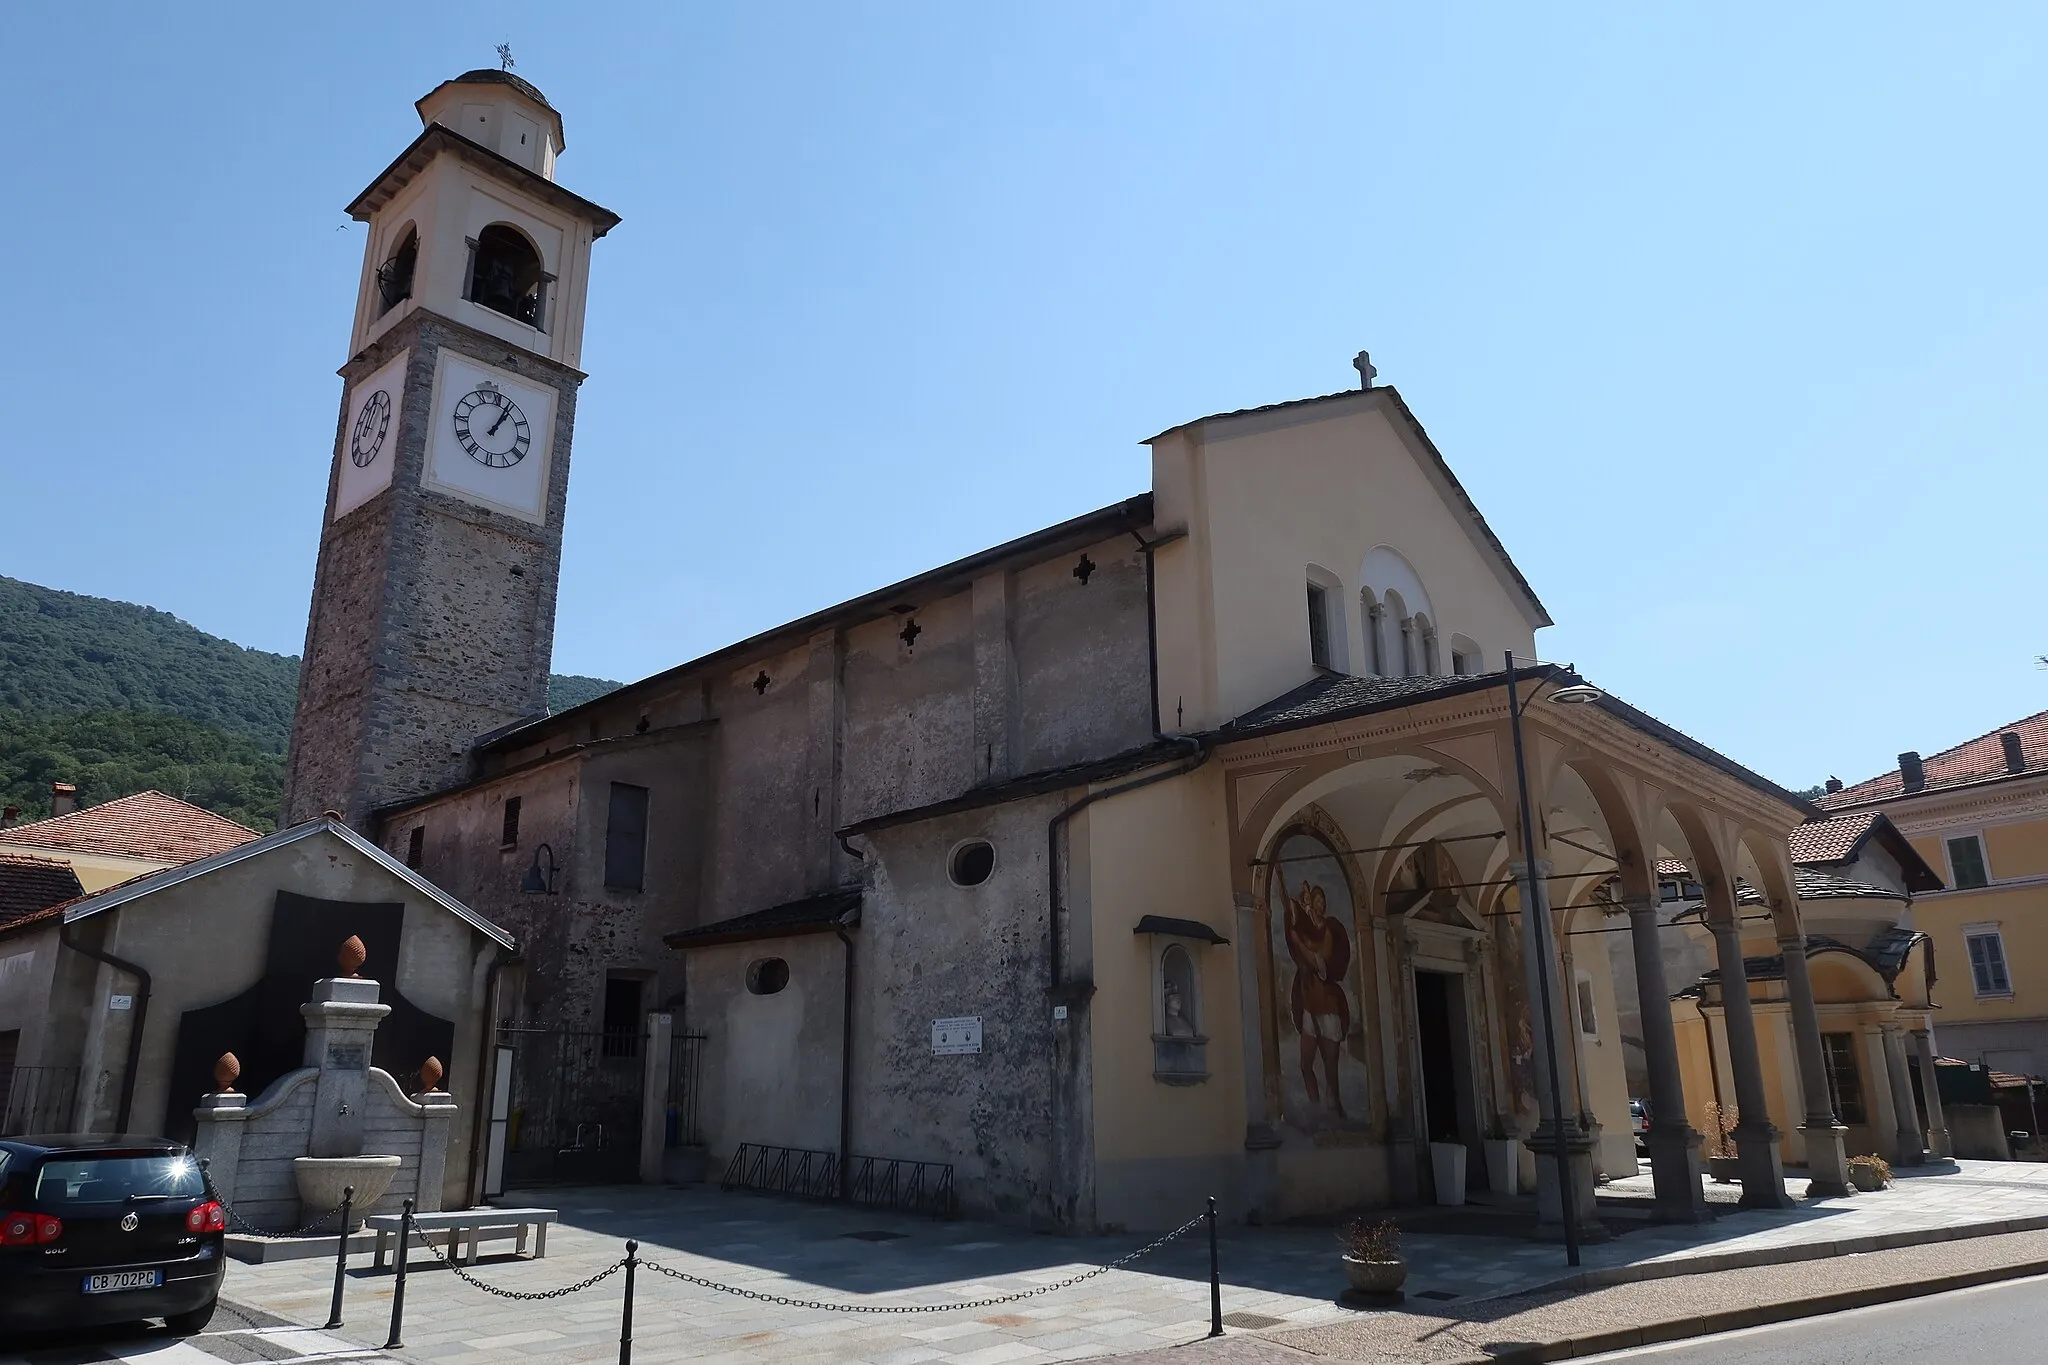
[(99, 1231)]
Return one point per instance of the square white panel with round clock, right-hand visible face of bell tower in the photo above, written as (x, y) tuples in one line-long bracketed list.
[(493, 435)]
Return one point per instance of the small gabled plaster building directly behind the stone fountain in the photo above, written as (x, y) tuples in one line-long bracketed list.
[(126, 998)]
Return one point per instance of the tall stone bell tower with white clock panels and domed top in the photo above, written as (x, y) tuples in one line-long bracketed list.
[(433, 613)]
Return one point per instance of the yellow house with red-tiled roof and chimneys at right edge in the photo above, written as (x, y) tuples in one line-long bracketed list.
[(1979, 816)]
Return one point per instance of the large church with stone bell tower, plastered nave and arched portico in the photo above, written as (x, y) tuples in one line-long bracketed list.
[(1175, 850)]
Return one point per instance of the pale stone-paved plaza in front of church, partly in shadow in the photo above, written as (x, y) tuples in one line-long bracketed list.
[(1275, 1278)]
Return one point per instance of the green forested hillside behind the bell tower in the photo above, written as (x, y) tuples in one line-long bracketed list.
[(122, 699)]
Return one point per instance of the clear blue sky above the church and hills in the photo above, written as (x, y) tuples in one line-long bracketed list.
[(1730, 318)]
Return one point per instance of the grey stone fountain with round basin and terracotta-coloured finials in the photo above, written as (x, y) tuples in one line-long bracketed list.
[(286, 1159)]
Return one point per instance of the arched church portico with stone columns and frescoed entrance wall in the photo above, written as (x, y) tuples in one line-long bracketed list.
[(1392, 811)]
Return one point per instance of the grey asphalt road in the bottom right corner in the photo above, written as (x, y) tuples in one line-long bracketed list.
[(1992, 1325)]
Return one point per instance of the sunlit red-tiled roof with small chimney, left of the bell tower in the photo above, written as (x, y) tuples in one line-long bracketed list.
[(124, 838)]
